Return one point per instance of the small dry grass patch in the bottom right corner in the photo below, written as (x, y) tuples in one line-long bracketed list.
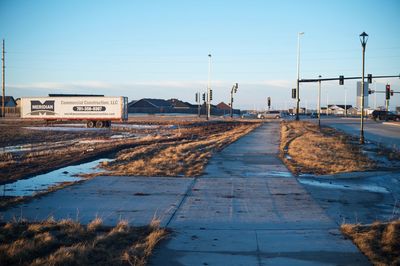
[(380, 242)]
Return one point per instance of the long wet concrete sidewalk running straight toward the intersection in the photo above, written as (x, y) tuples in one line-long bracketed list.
[(249, 210)]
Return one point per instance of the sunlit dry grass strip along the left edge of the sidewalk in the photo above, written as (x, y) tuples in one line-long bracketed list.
[(185, 157)]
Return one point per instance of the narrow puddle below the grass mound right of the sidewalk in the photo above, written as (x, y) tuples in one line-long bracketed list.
[(344, 186)]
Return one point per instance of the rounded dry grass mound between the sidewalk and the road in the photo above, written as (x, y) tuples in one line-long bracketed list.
[(324, 151)]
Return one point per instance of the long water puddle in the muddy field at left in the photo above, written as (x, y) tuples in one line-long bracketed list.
[(40, 183)]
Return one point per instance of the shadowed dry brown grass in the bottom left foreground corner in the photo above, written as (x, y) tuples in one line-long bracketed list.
[(70, 243)]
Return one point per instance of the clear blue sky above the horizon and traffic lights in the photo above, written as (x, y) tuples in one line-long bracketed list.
[(158, 49)]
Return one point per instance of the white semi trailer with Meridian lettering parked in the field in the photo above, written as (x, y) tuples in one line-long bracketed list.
[(96, 111)]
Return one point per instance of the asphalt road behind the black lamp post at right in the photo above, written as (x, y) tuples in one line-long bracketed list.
[(387, 134)]
